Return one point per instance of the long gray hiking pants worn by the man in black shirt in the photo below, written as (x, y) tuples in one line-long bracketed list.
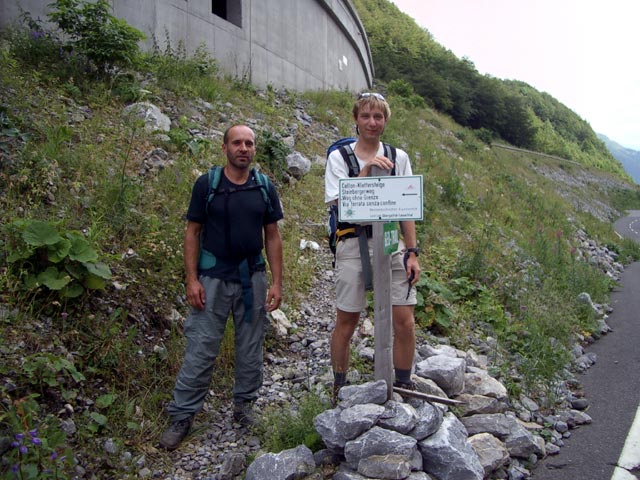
[(204, 330)]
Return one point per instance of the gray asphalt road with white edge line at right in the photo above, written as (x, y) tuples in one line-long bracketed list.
[(609, 448)]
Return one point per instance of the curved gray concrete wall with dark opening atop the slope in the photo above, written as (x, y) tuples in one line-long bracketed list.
[(297, 44)]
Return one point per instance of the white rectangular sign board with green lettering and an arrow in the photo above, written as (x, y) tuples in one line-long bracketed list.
[(371, 199)]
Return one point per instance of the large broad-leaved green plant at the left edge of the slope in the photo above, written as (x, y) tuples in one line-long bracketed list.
[(62, 262)]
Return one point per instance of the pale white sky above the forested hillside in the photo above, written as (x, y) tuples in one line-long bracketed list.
[(584, 53)]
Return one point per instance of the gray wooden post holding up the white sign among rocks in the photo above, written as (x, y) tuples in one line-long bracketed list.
[(382, 318)]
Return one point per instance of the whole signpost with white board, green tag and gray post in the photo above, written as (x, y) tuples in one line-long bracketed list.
[(383, 201)]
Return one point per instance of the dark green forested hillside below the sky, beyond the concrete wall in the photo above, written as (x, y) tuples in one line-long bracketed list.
[(509, 110)]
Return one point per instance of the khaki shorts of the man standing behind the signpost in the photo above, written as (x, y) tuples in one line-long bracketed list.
[(350, 293)]
